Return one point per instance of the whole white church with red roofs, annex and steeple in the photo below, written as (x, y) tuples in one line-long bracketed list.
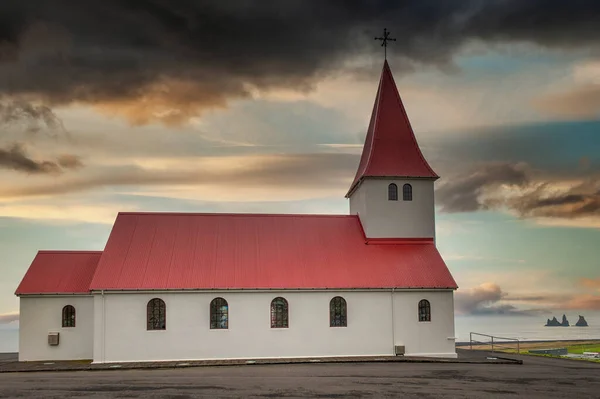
[(200, 286)]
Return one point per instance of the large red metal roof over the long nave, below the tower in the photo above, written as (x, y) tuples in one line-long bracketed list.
[(148, 251)]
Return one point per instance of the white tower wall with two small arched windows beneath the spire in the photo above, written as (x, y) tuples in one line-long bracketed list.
[(382, 218)]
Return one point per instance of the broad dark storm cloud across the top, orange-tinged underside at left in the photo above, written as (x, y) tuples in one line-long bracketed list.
[(174, 58)]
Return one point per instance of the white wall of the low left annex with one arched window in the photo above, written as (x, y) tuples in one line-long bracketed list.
[(43, 314)]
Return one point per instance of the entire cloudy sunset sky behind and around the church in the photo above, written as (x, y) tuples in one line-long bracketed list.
[(239, 106)]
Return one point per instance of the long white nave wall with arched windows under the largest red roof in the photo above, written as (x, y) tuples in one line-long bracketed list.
[(188, 335)]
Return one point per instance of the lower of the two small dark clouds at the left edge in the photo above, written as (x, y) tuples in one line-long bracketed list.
[(16, 158)]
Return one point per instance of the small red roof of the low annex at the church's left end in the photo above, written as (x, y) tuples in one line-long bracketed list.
[(60, 272)]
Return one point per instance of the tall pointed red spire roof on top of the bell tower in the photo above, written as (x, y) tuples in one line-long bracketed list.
[(391, 149)]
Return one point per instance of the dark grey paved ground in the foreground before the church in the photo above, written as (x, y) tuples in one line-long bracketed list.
[(535, 378)]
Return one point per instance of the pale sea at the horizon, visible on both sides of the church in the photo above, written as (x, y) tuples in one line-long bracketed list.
[(524, 328)]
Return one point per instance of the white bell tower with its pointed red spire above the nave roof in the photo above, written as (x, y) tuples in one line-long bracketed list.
[(392, 192)]
